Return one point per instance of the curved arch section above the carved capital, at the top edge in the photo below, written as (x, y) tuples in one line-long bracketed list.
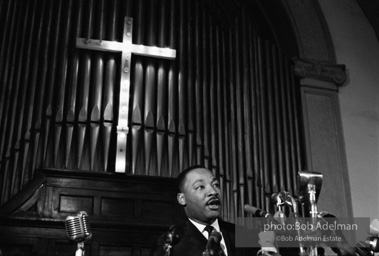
[(300, 28)]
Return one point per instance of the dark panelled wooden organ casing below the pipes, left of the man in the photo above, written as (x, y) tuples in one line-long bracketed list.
[(126, 213)]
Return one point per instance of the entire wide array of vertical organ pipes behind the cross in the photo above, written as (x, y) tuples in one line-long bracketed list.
[(228, 101)]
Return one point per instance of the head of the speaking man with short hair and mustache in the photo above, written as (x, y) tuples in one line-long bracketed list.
[(201, 196)]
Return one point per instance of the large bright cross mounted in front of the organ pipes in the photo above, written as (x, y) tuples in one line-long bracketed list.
[(126, 48)]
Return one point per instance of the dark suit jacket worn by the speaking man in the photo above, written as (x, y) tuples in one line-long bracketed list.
[(193, 242)]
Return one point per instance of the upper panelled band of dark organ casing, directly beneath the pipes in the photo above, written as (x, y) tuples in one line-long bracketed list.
[(108, 198)]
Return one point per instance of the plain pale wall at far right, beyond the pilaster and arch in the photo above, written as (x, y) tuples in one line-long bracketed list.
[(357, 47)]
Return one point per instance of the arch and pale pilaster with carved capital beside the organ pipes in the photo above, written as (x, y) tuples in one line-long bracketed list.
[(319, 82)]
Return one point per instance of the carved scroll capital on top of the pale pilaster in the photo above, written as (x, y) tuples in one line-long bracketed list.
[(317, 70)]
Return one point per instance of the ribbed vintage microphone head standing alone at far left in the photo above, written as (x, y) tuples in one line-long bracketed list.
[(78, 228)]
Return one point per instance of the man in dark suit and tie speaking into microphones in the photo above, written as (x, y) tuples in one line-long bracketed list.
[(200, 196)]
